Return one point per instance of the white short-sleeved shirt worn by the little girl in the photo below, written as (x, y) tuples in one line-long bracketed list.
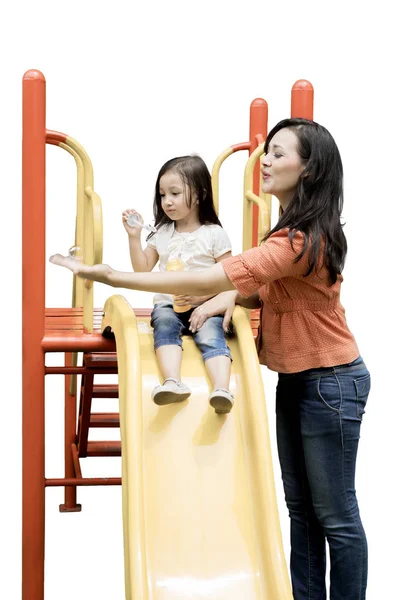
[(197, 250)]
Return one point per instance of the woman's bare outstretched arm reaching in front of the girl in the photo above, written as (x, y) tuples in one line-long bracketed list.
[(198, 283)]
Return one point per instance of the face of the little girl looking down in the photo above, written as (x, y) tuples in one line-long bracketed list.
[(174, 197)]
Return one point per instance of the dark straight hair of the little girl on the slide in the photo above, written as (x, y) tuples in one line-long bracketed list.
[(195, 174)]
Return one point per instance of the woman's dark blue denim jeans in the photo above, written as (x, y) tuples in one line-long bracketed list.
[(319, 415)]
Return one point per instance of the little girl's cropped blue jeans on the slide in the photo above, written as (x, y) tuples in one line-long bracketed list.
[(169, 327)]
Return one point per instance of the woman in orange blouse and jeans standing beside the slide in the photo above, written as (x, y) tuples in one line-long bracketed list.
[(295, 276)]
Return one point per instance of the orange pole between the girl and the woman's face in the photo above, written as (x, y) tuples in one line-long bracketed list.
[(258, 128)]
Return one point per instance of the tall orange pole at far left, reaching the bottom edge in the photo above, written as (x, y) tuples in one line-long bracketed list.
[(33, 310)]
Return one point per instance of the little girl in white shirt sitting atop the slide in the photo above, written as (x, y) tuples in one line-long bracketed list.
[(188, 236)]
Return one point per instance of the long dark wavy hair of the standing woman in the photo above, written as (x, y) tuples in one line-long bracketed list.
[(317, 204)]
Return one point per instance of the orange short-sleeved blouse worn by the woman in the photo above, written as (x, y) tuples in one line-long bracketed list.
[(302, 322)]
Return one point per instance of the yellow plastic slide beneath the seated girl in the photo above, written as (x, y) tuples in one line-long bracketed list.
[(199, 506)]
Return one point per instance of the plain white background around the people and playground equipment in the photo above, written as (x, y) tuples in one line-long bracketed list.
[(139, 83)]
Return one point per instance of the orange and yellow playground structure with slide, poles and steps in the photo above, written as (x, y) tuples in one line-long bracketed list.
[(224, 540)]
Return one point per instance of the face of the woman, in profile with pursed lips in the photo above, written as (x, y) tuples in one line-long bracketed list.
[(281, 167)]
